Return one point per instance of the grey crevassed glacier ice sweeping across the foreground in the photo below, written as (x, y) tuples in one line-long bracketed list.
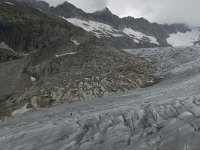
[(165, 116)]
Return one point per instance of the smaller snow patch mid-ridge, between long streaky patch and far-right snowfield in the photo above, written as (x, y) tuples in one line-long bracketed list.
[(140, 36)]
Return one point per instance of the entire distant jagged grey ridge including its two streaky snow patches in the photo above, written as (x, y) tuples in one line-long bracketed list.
[(128, 32)]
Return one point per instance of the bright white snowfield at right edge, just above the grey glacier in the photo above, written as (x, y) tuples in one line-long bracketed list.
[(184, 39)]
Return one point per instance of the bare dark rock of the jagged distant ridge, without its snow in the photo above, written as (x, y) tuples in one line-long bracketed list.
[(160, 32)]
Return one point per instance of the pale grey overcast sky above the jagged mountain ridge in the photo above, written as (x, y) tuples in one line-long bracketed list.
[(161, 11)]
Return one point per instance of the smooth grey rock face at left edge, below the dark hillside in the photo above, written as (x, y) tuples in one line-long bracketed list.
[(13, 78)]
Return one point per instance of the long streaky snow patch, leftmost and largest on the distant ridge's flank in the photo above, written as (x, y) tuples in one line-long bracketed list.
[(99, 29)]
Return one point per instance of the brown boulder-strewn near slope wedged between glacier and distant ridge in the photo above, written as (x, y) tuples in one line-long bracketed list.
[(60, 62)]
